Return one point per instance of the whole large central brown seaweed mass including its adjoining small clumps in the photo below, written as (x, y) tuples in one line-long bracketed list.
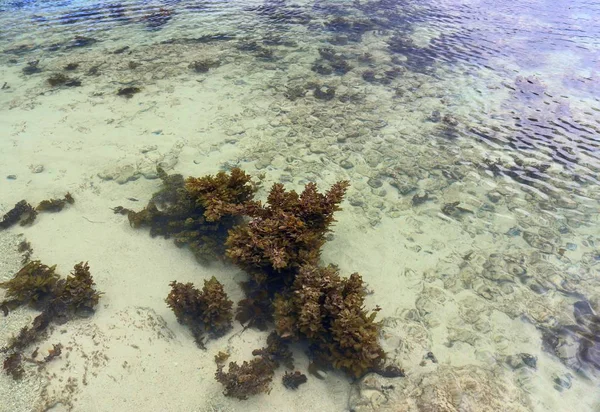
[(278, 244)]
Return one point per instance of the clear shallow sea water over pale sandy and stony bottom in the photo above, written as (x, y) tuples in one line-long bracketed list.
[(470, 134)]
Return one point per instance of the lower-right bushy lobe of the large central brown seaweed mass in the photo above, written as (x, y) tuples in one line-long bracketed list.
[(328, 310)]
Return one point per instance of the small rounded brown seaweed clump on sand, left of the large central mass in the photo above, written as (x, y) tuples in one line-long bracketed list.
[(207, 310)]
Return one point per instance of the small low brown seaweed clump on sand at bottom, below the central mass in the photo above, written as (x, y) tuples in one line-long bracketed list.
[(251, 378)]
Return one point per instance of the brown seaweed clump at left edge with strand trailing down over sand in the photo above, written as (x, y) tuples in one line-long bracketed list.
[(59, 300)]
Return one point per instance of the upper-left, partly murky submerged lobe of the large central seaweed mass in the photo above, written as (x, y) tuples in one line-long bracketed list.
[(196, 213)]
